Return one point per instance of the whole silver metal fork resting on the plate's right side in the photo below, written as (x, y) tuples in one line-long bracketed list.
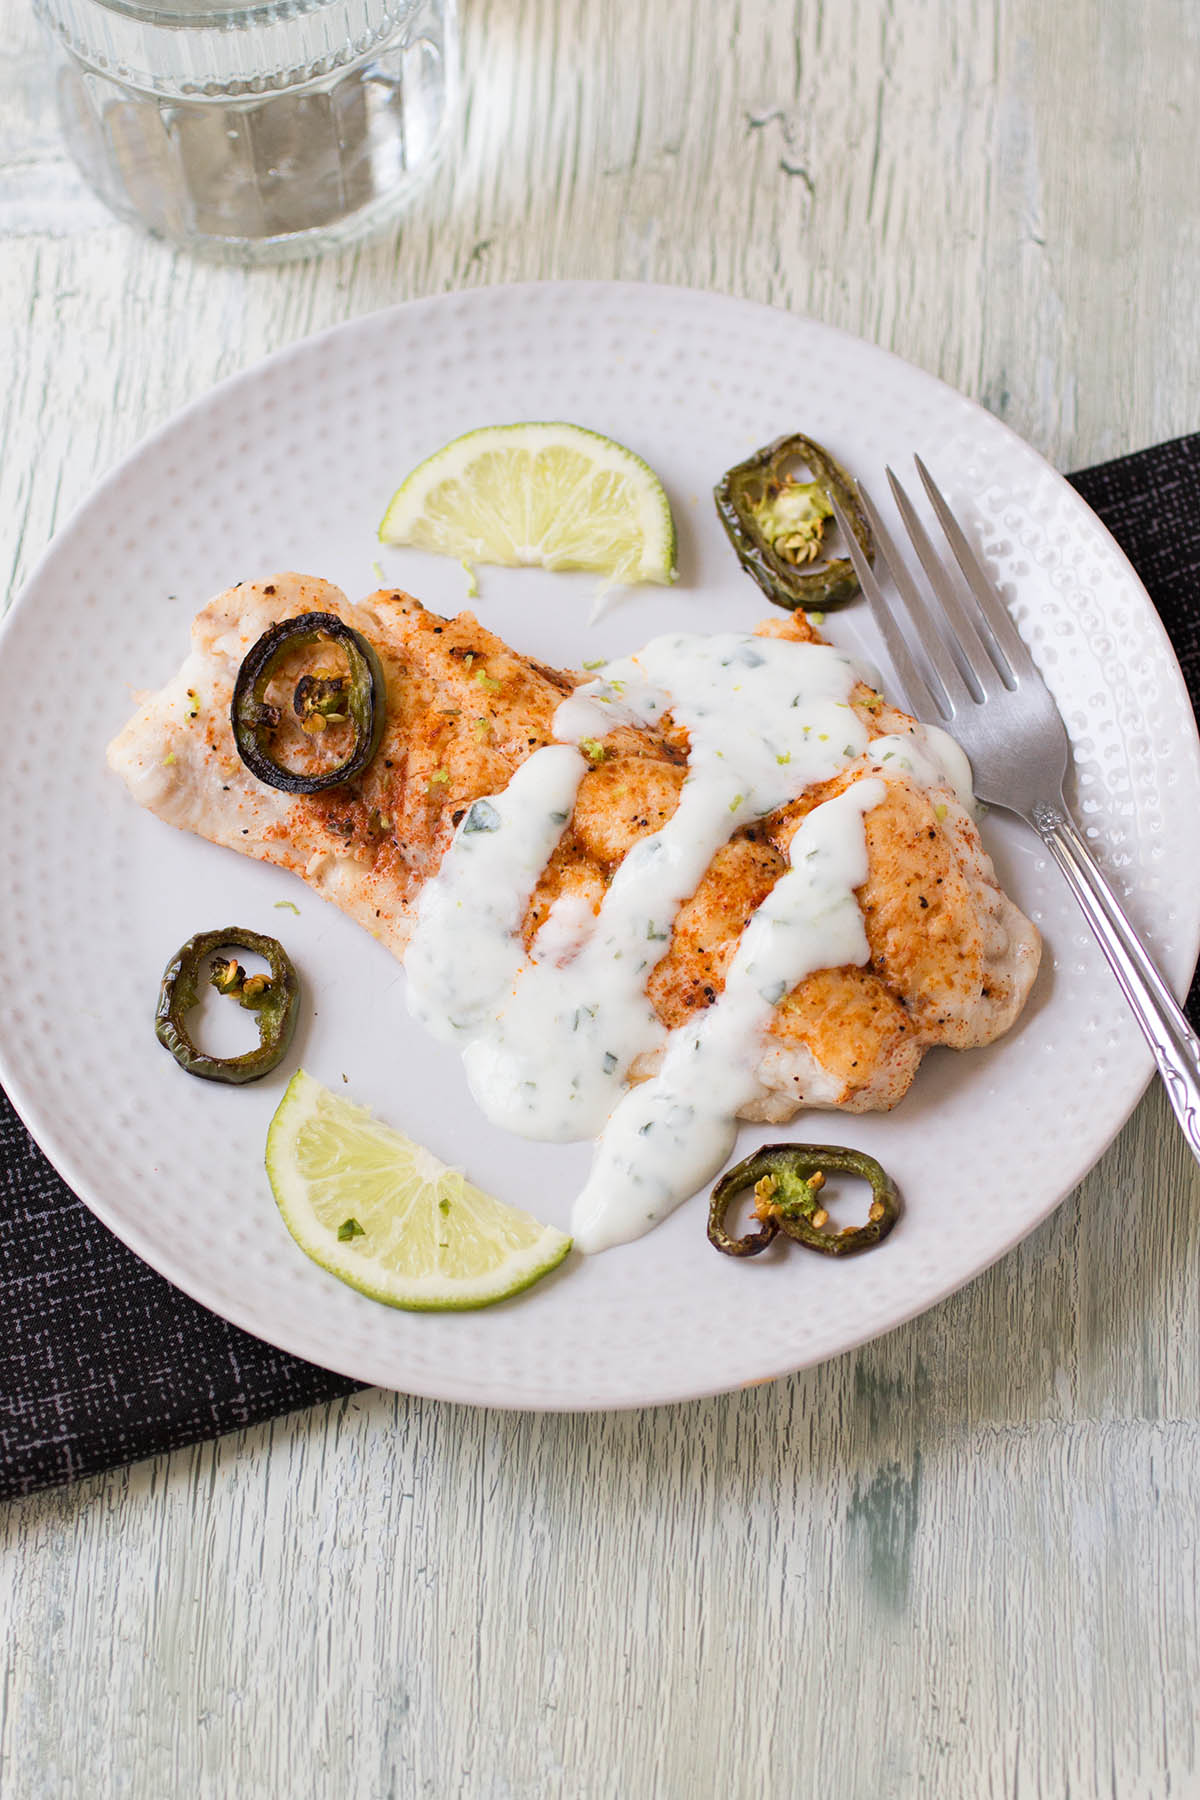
[(981, 685)]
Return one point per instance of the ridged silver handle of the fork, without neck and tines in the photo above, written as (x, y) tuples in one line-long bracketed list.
[(1174, 1043)]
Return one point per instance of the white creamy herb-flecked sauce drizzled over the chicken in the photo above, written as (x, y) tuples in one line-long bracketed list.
[(550, 1038)]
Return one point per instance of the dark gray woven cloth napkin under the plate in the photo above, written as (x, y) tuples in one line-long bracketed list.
[(102, 1362)]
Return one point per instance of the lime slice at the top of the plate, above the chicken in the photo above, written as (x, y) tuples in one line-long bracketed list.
[(555, 496)]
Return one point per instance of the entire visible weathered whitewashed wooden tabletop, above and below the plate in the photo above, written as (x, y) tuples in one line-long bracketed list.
[(960, 1561)]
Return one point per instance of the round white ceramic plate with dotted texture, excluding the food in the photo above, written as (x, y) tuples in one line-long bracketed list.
[(289, 467)]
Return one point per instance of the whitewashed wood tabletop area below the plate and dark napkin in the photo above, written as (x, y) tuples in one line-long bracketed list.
[(960, 1561)]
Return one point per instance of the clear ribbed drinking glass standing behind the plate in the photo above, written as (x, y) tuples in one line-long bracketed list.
[(258, 130)]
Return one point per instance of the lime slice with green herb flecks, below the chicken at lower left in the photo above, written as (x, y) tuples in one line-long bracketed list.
[(381, 1212)]
